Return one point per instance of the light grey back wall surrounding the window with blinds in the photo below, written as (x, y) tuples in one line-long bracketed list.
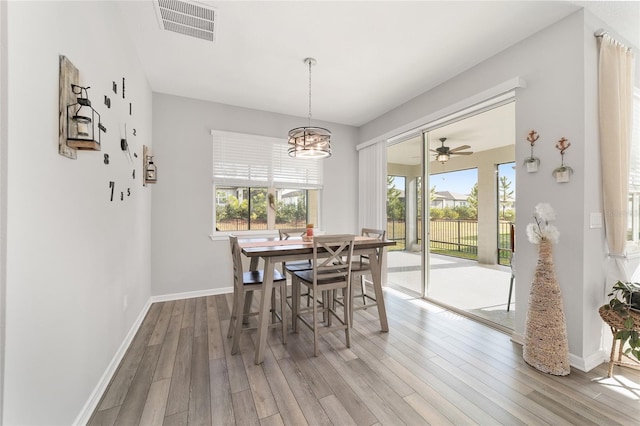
[(184, 259)]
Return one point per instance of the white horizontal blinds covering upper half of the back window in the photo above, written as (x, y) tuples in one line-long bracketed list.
[(249, 160)]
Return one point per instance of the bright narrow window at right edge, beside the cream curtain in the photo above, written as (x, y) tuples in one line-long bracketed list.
[(633, 220)]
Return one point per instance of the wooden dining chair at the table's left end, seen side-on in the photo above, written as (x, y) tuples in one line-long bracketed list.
[(251, 281)]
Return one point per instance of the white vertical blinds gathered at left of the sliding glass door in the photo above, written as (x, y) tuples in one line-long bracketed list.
[(372, 180)]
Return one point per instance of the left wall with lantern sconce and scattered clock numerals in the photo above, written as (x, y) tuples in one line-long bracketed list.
[(72, 256)]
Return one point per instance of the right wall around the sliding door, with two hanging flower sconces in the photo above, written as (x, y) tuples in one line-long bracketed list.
[(557, 65)]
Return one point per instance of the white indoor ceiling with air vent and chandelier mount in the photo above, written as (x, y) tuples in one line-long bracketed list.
[(371, 55)]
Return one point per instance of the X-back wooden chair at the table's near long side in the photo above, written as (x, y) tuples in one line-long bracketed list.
[(331, 271)]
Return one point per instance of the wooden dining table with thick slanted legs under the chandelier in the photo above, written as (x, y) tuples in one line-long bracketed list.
[(276, 251)]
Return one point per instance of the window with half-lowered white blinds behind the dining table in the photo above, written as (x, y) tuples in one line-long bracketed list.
[(257, 186)]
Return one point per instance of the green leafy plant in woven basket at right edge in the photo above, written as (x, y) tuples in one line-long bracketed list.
[(622, 313)]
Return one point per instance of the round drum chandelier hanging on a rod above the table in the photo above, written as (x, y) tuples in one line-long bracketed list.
[(309, 142)]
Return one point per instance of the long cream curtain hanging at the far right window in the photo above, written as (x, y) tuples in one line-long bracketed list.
[(615, 91)]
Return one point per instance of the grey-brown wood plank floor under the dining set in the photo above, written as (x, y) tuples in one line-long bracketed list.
[(433, 367)]
